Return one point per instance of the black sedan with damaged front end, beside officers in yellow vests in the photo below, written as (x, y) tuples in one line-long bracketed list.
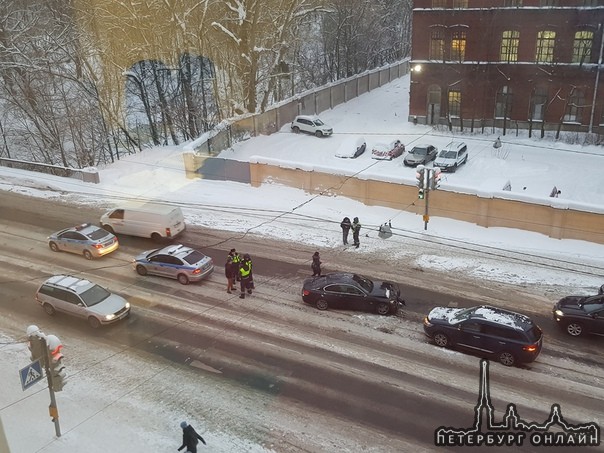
[(347, 291)]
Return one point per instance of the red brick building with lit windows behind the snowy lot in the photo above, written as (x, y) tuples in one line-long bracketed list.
[(531, 64)]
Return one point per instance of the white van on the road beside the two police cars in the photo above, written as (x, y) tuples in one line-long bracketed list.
[(148, 220)]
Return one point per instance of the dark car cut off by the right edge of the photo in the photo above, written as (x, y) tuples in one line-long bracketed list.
[(579, 315)]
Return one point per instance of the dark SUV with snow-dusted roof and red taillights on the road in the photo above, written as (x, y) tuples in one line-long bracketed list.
[(509, 337)]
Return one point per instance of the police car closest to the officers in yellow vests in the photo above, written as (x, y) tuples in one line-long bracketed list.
[(175, 261)]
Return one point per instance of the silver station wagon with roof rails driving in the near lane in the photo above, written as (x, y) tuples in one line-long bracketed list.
[(83, 299)]
